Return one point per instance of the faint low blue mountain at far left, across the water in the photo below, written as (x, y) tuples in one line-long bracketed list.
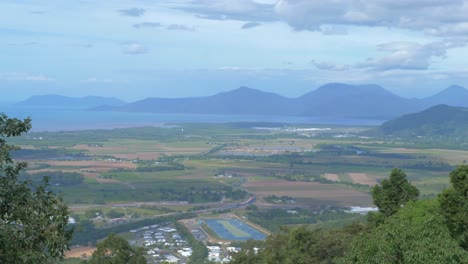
[(70, 102)]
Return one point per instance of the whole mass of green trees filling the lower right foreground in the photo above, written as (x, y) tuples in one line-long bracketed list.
[(408, 231)]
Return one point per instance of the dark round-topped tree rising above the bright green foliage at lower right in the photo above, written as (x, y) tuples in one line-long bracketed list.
[(393, 193)]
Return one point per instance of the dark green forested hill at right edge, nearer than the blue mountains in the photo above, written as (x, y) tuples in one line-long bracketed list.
[(439, 120)]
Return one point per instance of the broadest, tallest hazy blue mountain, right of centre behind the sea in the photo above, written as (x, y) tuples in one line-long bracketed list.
[(359, 101)]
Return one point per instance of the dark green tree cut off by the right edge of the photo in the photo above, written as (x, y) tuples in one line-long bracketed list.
[(454, 205)]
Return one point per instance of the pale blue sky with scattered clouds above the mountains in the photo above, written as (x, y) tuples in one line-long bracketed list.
[(134, 49)]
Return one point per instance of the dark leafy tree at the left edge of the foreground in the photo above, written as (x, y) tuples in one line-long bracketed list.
[(33, 221)]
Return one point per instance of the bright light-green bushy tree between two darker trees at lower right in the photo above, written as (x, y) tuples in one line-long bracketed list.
[(416, 235)]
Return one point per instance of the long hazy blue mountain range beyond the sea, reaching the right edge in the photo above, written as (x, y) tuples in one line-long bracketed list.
[(334, 100)]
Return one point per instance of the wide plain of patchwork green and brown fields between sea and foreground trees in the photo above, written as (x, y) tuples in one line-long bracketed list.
[(273, 177)]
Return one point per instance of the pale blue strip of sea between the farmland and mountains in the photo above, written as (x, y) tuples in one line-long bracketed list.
[(57, 119)]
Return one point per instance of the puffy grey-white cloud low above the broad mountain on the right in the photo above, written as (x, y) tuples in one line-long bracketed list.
[(406, 56)]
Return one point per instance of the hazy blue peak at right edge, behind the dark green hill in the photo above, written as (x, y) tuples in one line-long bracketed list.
[(454, 95)]
